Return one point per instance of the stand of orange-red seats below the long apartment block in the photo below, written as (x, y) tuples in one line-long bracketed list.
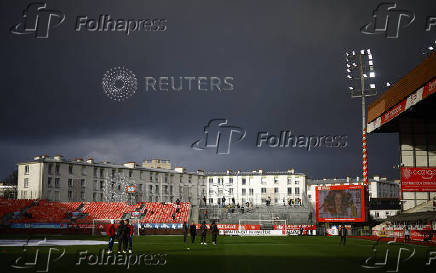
[(42, 211)]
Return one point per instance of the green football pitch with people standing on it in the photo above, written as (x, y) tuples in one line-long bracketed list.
[(231, 254)]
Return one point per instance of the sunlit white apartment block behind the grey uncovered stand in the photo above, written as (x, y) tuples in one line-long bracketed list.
[(256, 187)]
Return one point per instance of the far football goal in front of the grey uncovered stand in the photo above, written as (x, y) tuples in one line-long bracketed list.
[(260, 227)]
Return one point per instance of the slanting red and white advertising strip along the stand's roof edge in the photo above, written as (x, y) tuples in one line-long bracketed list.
[(405, 104)]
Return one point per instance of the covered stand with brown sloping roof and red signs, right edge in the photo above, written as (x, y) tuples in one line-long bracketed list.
[(407, 108)]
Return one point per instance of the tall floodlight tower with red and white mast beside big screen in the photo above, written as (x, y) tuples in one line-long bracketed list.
[(360, 76)]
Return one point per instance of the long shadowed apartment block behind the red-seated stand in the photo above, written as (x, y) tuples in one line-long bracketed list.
[(57, 179)]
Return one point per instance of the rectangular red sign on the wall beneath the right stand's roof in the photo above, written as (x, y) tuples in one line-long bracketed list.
[(418, 179)]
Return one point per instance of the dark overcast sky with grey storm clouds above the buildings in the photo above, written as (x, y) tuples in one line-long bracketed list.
[(286, 57)]
